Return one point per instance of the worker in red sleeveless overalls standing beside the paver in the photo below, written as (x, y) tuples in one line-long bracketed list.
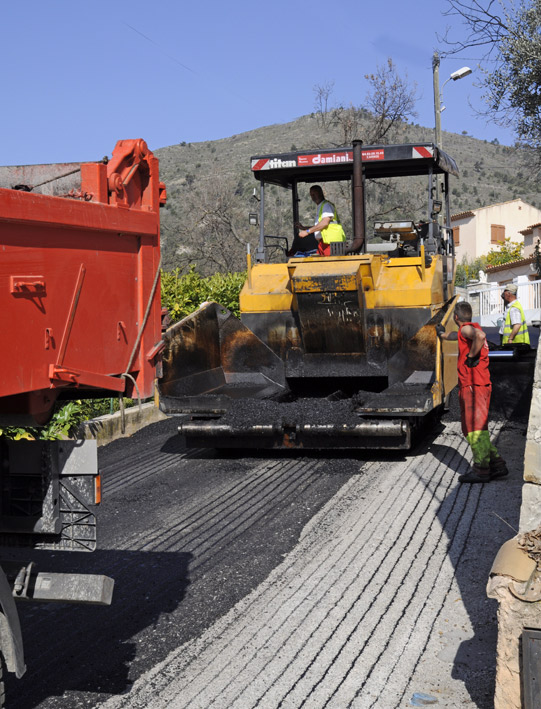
[(474, 390)]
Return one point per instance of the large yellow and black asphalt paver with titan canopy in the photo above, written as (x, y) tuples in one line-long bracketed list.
[(329, 352)]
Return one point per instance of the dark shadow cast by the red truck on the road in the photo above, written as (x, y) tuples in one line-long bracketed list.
[(95, 647)]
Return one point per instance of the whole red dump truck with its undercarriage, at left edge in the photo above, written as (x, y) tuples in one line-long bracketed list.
[(81, 317)]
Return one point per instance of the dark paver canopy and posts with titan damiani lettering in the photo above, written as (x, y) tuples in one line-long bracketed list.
[(287, 170)]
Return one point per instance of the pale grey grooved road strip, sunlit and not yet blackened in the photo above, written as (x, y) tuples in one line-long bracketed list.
[(191, 673)]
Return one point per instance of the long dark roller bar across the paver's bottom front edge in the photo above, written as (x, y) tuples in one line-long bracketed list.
[(366, 434)]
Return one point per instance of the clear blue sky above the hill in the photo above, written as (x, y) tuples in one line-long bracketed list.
[(78, 76)]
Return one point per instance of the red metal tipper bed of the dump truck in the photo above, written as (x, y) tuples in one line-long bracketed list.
[(79, 285)]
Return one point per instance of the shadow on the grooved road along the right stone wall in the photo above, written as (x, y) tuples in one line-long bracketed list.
[(473, 544)]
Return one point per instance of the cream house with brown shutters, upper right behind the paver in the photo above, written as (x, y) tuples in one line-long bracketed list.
[(476, 228)]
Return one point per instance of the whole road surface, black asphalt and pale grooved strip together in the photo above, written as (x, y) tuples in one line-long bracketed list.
[(280, 580)]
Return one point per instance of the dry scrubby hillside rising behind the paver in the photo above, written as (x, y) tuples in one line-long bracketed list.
[(210, 186)]
